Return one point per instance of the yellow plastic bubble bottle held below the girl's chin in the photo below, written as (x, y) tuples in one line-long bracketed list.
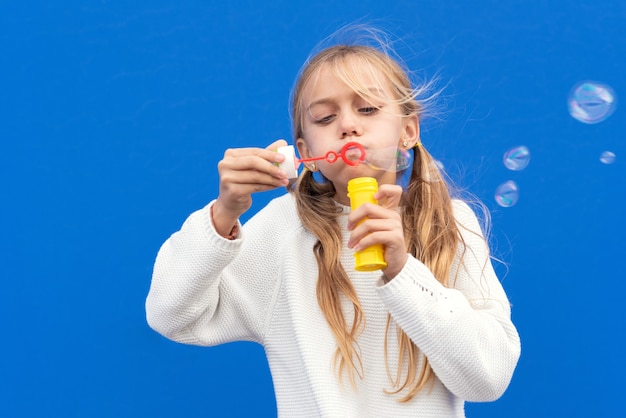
[(361, 190)]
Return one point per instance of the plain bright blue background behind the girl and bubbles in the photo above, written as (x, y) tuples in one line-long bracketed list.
[(115, 114)]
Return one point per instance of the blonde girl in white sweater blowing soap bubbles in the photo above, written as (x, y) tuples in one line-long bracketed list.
[(417, 338)]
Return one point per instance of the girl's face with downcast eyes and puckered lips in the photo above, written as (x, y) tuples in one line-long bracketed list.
[(333, 114)]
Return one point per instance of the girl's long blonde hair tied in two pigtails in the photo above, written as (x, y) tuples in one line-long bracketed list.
[(430, 229)]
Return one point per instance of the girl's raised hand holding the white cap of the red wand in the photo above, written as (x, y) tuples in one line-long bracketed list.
[(244, 171)]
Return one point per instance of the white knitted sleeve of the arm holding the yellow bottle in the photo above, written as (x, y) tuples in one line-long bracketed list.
[(465, 331)]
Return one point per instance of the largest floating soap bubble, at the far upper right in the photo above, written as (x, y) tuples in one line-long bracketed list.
[(591, 102)]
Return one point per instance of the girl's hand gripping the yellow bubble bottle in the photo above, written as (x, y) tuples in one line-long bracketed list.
[(382, 224)]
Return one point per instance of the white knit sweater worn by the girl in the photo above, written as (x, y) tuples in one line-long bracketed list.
[(207, 290)]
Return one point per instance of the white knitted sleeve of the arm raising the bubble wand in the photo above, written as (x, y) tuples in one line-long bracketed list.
[(202, 292)]
